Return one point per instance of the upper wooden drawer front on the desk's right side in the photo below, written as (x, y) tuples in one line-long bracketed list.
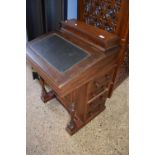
[(99, 84)]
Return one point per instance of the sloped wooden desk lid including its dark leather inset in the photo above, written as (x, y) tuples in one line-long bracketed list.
[(61, 59)]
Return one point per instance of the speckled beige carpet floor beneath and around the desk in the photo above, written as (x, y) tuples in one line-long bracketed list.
[(107, 134)]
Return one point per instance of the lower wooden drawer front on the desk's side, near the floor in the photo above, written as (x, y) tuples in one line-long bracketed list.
[(97, 104)]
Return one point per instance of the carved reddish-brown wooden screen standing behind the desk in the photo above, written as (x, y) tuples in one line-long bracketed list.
[(113, 17)]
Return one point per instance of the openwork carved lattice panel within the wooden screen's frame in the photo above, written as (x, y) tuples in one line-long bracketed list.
[(102, 13)]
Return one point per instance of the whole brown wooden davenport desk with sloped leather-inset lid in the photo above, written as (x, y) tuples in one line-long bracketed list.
[(78, 63)]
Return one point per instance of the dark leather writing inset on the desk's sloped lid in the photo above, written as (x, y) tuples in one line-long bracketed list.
[(59, 52)]
